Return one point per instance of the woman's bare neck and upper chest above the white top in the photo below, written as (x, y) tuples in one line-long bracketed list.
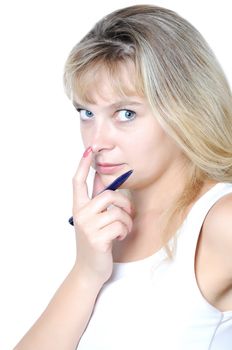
[(150, 205)]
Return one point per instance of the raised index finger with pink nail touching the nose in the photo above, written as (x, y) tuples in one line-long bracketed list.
[(80, 189)]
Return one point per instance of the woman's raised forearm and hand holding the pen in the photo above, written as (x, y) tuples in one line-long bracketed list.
[(63, 322)]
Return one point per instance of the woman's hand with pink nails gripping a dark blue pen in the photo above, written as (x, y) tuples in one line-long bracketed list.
[(95, 226)]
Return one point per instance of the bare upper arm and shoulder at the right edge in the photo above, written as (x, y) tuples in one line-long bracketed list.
[(213, 263)]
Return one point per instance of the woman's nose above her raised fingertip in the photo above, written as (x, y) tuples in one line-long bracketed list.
[(102, 137)]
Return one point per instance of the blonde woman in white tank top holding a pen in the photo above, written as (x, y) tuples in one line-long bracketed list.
[(153, 267)]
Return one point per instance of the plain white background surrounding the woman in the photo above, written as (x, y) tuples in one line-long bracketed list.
[(40, 144)]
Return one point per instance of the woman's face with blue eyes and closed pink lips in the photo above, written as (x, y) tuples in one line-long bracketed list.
[(124, 134)]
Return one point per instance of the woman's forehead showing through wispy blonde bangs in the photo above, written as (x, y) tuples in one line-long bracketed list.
[(106, 82)]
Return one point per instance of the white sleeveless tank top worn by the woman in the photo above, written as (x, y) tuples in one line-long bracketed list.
[(155, 303)]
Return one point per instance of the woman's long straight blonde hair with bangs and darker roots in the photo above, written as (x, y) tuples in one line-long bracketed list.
[(178, 74)]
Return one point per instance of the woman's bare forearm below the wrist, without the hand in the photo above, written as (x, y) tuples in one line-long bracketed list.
[(63, 322)]
